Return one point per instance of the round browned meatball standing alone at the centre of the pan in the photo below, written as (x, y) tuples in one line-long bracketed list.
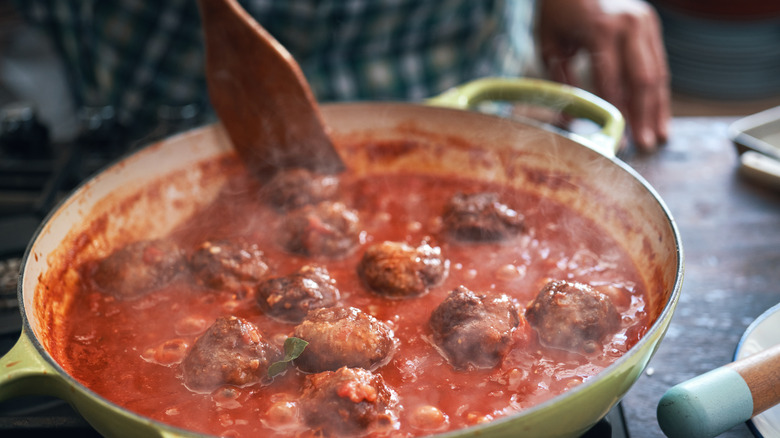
[(398, 270)]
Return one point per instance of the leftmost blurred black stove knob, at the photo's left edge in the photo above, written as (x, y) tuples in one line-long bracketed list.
[(22, 135)]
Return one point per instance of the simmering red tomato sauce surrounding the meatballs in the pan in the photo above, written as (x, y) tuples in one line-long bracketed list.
[(130, 350)]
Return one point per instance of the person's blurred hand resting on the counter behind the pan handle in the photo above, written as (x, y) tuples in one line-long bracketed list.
[(627, 57)]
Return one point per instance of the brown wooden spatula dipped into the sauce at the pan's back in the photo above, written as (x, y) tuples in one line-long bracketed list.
[(261, 96)]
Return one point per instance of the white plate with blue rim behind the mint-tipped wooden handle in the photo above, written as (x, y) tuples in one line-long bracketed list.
[(763, 333)]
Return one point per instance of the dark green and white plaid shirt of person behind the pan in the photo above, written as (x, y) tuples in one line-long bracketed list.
[(136, 55)]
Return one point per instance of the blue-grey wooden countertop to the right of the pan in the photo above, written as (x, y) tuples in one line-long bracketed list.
[(730, 230)]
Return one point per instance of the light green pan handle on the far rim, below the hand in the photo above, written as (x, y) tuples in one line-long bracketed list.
[(567, 99)]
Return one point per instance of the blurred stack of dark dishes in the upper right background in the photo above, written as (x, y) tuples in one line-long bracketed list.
[(724, 56)]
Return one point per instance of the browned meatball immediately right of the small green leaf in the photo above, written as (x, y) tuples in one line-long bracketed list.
[(343, 337)]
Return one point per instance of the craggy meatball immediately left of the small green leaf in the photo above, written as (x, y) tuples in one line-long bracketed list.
[(231, 352)]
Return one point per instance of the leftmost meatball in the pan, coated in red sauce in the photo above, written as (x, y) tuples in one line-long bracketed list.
[(139, 268)]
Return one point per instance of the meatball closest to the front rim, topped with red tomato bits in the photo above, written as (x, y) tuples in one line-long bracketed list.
[(349, 402)]
